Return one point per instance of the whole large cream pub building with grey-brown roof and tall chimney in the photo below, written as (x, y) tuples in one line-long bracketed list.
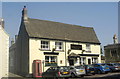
[(54, 44)]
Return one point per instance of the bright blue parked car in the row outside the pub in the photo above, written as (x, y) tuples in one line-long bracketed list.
[(101, 68)]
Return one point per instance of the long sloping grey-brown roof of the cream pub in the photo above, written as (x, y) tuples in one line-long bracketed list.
[(60, 31)]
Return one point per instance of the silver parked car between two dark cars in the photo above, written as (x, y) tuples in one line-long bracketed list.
[(77, 71)]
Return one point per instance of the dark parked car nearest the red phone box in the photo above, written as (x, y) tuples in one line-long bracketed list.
[(57, 72)]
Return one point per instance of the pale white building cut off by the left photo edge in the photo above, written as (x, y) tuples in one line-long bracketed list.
[(4, 50)]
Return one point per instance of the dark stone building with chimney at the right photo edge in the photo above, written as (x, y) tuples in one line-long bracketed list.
[(112, 51)]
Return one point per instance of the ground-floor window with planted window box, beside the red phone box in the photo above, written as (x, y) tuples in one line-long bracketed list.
[(50, 60)]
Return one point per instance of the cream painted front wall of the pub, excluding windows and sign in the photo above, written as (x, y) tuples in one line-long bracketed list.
[(37, 54)]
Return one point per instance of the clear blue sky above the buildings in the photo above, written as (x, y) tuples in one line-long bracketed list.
[(102, 16)]
